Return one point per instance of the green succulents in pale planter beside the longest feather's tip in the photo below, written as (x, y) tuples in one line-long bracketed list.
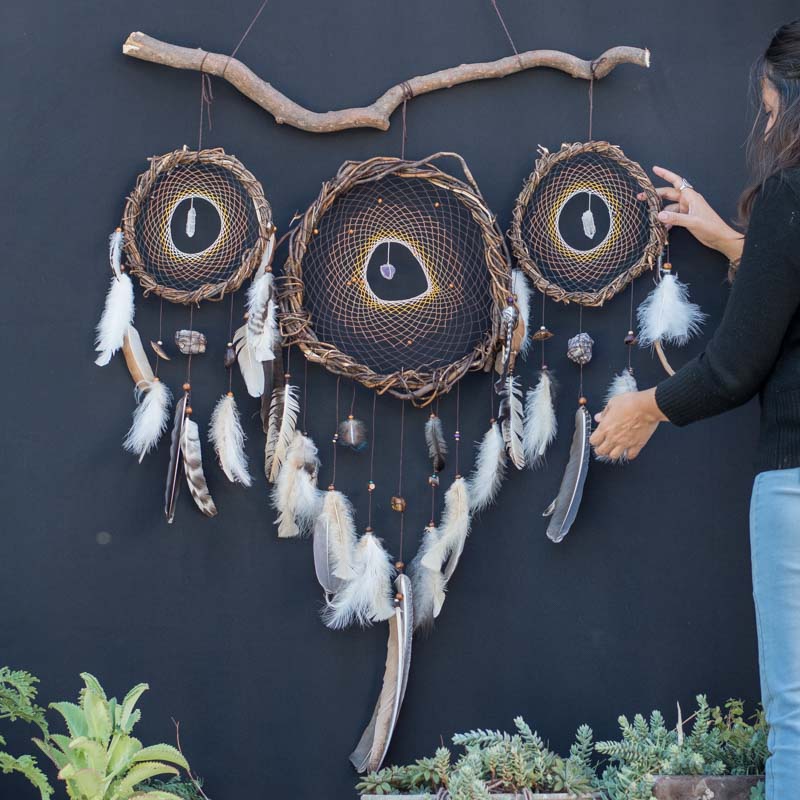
[(494, 765)]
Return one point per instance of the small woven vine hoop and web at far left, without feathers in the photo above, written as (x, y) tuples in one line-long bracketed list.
[(243, 221)]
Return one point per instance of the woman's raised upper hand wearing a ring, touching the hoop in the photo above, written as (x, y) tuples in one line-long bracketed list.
[(688, 209)]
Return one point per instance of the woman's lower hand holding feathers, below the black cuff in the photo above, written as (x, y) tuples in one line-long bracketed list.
[(626, 425)]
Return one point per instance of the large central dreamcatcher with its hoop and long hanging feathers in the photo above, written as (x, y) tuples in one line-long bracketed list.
[(397, 278)]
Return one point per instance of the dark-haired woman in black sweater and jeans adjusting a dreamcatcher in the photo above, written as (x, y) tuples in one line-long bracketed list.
[(755, 350)]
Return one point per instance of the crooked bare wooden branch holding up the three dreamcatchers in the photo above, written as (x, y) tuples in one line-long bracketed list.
[(376, 115)]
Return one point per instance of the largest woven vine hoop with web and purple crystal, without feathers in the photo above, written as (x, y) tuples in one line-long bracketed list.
[(414, 347)]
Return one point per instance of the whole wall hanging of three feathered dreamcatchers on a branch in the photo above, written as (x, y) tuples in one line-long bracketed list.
[(398, 279)]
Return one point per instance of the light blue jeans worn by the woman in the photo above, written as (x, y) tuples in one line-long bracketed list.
[(775, 551)]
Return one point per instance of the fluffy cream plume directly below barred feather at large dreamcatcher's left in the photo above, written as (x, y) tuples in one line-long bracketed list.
[(295, 495)]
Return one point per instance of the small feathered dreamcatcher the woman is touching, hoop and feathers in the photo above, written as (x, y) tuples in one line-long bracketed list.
[(585, 225)]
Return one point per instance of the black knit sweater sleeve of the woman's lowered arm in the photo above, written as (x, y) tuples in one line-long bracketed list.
[(764, 298)]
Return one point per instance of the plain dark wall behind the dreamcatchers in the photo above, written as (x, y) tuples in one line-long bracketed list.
[(646, 602)]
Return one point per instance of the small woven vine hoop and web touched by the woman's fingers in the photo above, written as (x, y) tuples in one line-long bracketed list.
[(593, 172)]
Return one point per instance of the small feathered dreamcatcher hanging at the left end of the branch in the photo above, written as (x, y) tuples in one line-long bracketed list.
[(195, 227)]
